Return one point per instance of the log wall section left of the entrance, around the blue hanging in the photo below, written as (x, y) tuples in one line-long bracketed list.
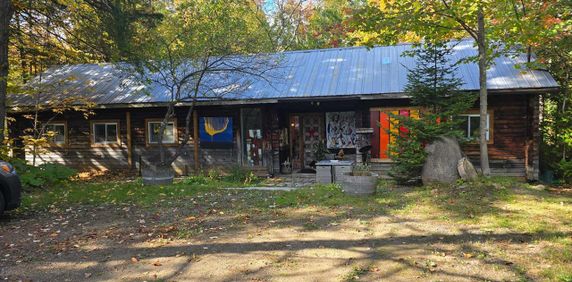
[(80, 153)]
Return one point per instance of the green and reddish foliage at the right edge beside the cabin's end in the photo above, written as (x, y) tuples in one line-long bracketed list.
[(553, 47)]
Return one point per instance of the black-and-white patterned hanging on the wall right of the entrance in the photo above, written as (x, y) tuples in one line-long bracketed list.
[(341, 130)]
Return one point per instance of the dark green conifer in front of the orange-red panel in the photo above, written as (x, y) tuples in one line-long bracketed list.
[(432, 86)]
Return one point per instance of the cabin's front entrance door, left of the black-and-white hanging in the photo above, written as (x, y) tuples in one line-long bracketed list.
[(306, 131)]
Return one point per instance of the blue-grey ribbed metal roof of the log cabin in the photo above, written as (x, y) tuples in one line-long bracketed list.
[(310, 73)]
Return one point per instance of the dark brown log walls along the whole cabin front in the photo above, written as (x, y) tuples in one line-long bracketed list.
[(513, 152)]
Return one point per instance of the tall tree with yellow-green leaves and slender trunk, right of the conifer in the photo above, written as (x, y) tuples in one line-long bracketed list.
[(497, 27)]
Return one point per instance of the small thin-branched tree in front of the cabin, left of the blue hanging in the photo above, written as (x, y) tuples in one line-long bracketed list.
[(196, 40)]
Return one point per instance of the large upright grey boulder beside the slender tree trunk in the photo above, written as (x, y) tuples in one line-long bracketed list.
[(442, 160)]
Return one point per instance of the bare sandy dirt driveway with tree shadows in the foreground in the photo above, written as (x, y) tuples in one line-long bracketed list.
[(113, 243)]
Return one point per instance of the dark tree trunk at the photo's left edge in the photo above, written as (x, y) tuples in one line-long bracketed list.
[(6, 12)]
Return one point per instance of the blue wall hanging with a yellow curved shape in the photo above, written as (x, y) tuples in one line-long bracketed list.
[(215, 130)]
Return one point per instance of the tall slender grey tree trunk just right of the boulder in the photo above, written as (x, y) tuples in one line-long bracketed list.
[(482, 47)]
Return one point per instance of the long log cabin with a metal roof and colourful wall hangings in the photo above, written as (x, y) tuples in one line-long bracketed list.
[(324, 95)]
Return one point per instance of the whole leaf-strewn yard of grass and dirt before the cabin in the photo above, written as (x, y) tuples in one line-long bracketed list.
[(494, 229)]
